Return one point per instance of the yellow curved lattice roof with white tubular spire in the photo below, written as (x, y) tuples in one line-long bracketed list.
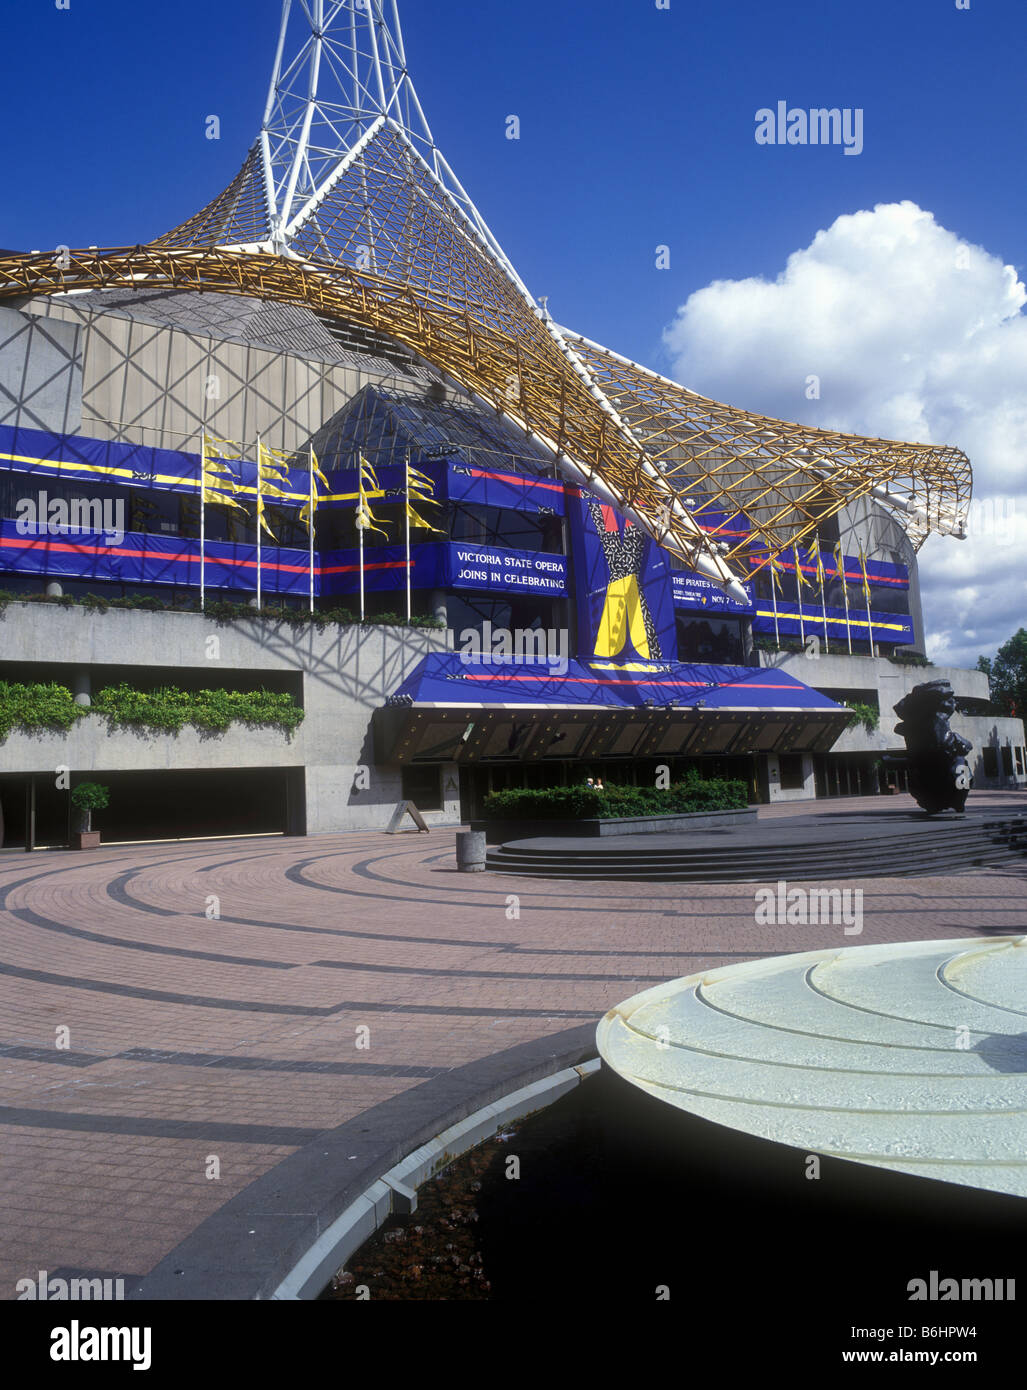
[(347, 205)]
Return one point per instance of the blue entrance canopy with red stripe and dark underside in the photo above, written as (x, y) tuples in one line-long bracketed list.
[(461, 708)]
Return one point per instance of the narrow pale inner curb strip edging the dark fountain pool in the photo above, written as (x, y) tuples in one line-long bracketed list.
[(395, 1189)]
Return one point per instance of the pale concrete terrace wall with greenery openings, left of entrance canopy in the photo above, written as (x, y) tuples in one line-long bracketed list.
[(347, 675)]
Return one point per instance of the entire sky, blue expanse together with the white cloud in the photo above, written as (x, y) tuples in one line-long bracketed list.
[(637, 131)]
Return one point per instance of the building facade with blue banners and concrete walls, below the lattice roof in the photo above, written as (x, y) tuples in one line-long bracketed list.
[(525, 573)]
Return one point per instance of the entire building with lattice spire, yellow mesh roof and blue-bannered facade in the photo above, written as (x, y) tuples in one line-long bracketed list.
[(320, 441)]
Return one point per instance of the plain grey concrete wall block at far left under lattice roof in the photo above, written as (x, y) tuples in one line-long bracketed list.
[(41, 373)]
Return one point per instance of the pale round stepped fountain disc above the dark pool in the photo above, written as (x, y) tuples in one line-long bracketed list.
[(911, 1057)]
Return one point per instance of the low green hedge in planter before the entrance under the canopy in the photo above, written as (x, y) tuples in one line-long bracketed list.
[(616, 803)]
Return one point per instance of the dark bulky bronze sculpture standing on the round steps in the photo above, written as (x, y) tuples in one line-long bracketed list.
[(936, 758)]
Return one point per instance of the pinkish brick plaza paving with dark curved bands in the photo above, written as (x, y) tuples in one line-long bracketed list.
[(229, 1042)]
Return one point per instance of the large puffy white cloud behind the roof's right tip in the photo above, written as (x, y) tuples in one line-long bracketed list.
[(915, 334)]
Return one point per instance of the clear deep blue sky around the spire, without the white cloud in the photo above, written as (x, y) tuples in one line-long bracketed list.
[(637, 129)]
